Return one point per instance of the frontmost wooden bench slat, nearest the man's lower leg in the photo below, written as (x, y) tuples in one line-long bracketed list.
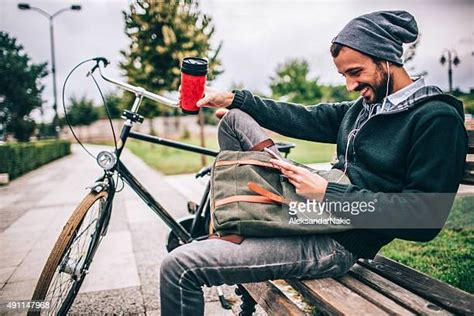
[(271, 299)]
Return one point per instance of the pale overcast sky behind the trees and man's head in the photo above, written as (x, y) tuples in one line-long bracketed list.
[(256, 35)]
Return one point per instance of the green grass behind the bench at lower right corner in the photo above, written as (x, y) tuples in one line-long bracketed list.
[(450, 256)]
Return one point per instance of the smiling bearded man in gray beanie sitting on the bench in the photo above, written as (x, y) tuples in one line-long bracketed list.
[(400, 136)]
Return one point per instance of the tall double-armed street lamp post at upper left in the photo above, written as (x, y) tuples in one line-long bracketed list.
[(26, 6)]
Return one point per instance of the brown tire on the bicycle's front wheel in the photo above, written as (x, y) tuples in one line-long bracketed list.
[(63, 244)]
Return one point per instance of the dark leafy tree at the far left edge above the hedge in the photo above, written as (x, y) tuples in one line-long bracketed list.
[(20, 88)]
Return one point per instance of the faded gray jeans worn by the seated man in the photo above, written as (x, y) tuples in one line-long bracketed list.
[(214, 262)]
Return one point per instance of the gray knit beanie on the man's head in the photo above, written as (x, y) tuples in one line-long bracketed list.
[(380, 34)]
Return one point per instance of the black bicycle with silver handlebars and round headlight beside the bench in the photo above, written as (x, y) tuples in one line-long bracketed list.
[(73, 252)]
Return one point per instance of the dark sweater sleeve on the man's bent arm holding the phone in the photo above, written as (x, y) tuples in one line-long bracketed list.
[(435, 168)]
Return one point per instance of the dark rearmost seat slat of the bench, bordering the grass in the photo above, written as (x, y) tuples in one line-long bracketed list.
[(443, 294)]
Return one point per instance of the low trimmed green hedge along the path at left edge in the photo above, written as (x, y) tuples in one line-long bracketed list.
[(19, 158)]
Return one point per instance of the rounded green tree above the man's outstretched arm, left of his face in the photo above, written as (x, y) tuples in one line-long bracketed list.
[(291, 83)]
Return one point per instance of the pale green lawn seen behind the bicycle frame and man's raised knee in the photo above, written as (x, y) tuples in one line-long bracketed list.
[(175, 161)]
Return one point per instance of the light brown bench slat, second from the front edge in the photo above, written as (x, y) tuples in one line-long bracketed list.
[(332, 297)]
